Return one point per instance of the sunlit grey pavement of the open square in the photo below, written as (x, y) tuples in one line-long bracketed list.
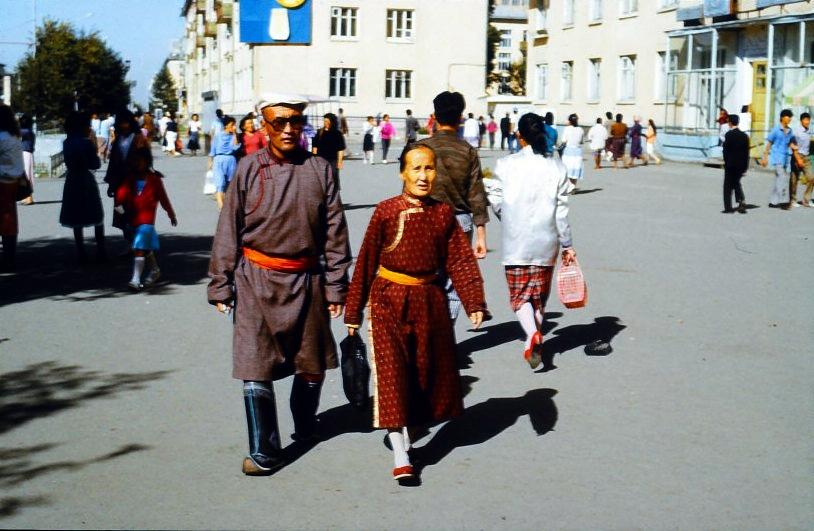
[(118, 410)]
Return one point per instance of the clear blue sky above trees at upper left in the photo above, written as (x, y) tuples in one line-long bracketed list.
[(139, 30)]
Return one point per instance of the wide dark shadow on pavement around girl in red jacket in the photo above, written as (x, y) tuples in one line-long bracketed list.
[(48, 269)]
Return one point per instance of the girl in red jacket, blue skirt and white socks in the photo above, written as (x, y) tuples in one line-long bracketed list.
[(138, 197)]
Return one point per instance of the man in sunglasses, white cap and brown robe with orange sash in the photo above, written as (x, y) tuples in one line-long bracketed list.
[(280, 258)]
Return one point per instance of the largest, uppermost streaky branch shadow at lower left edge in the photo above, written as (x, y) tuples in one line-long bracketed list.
[(43, 389)]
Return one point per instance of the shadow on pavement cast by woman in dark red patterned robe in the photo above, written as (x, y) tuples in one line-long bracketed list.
[(486, 420)]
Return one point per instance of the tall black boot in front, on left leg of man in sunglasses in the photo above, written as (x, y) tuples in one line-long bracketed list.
[(265, 456)]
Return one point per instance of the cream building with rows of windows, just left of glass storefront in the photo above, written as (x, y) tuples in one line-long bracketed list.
[(592, 56)]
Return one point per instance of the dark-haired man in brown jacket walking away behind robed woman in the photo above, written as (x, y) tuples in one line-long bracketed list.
[(458, 180)]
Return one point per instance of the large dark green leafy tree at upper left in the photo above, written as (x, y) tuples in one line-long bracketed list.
[(70, 69)]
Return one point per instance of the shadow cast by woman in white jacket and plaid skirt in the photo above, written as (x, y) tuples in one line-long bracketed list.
[(596, 337)]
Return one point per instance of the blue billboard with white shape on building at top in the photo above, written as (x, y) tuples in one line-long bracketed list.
[(275, 21)]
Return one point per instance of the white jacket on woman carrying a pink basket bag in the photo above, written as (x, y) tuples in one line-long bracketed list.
[(529, 194)]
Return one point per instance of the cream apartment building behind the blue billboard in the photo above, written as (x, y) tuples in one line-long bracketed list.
[(365, 56)]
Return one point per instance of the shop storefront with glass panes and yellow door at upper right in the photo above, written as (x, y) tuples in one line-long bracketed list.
[(754, 68)]
